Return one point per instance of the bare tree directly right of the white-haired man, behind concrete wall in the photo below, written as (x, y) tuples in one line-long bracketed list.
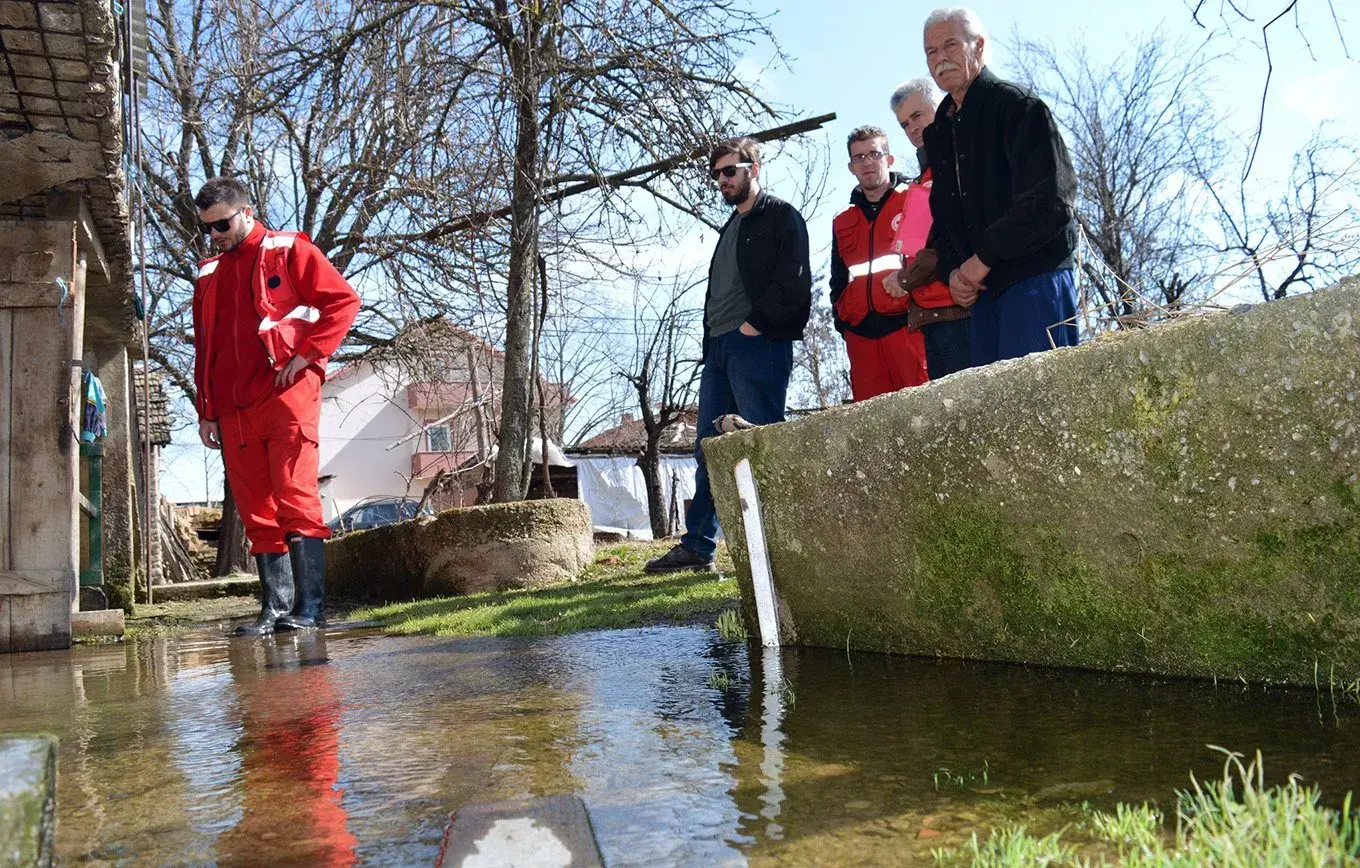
[(1135, 144)]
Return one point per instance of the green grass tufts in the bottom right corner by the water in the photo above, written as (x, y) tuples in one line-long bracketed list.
[(1231, 822)]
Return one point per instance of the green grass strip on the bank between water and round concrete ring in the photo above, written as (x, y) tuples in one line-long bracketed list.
[(613, 592)]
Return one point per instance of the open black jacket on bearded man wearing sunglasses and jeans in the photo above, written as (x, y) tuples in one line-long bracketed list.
[(776, 271)]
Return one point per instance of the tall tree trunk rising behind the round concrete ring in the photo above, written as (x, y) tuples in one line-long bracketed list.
[(513, 466)]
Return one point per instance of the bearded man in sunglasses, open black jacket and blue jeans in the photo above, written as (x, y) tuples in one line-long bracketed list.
[(758, 304)]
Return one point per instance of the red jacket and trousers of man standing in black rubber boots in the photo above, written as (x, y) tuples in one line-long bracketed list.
[(300, 305)]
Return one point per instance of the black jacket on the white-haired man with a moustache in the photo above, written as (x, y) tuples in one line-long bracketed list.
[(1011, 201)]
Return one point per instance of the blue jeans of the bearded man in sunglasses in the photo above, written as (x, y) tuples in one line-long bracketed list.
[(747, 376)]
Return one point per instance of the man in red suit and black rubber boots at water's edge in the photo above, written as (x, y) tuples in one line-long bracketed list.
[(269, 312)]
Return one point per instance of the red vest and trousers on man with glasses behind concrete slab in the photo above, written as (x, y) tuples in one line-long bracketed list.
[(897, 360)]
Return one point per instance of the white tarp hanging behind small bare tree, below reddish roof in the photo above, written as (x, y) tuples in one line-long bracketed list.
[(614, 489)]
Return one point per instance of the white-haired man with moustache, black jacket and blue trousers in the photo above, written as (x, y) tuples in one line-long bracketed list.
[(1003, 199)]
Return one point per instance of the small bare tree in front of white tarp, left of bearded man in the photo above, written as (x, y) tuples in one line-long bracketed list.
[(664, 376)]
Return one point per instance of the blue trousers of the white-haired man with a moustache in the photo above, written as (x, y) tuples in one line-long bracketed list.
[(1023, 319)]
